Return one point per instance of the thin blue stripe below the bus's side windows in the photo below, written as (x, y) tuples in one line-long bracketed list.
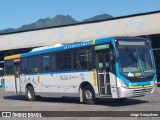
[(59, 72)]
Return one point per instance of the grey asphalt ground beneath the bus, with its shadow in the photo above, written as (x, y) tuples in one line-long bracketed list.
[(11, 102)]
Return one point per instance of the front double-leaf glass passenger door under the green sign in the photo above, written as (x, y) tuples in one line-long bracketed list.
[(103, 69)]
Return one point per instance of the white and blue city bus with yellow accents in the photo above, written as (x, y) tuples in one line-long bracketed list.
[(114, 67)]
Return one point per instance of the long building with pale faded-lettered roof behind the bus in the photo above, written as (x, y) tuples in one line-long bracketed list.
[(145, 25)]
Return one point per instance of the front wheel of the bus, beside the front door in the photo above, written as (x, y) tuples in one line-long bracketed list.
[(88, 95)]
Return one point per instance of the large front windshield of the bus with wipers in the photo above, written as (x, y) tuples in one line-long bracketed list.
[(136, 60)]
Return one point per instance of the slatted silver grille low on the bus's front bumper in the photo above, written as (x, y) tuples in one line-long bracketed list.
[(140, 92)]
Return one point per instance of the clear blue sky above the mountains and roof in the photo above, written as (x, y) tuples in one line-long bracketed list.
[(15, 13)]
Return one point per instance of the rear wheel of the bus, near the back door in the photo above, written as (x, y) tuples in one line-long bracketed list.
[(30, 95)]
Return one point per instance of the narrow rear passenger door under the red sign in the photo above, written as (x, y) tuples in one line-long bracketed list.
[(17, 76)]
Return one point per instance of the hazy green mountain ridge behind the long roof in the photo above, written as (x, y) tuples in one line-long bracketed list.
[(55, 21)]
